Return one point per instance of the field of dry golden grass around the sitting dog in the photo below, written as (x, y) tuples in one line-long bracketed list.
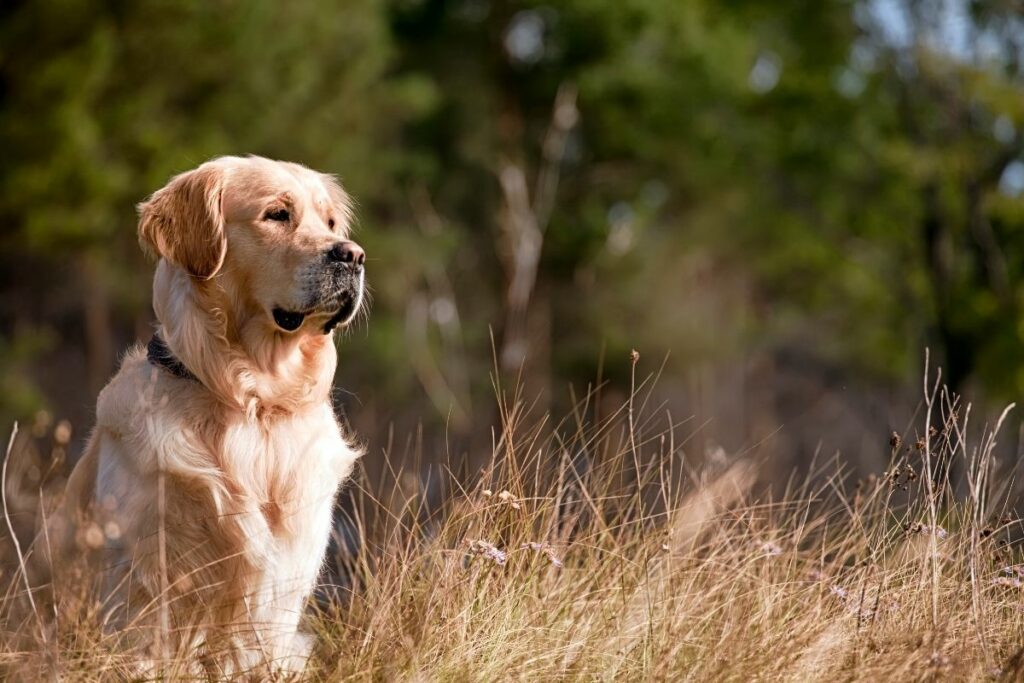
[(601, 552)]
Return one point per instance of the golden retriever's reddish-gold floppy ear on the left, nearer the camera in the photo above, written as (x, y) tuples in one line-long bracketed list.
[(184, 223)]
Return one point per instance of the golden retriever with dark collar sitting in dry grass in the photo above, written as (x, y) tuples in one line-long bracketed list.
[(205, 495)]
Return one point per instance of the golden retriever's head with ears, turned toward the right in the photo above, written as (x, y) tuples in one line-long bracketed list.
[(273, 236)]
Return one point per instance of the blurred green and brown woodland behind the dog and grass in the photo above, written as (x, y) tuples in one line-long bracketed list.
[(781, 205)]
